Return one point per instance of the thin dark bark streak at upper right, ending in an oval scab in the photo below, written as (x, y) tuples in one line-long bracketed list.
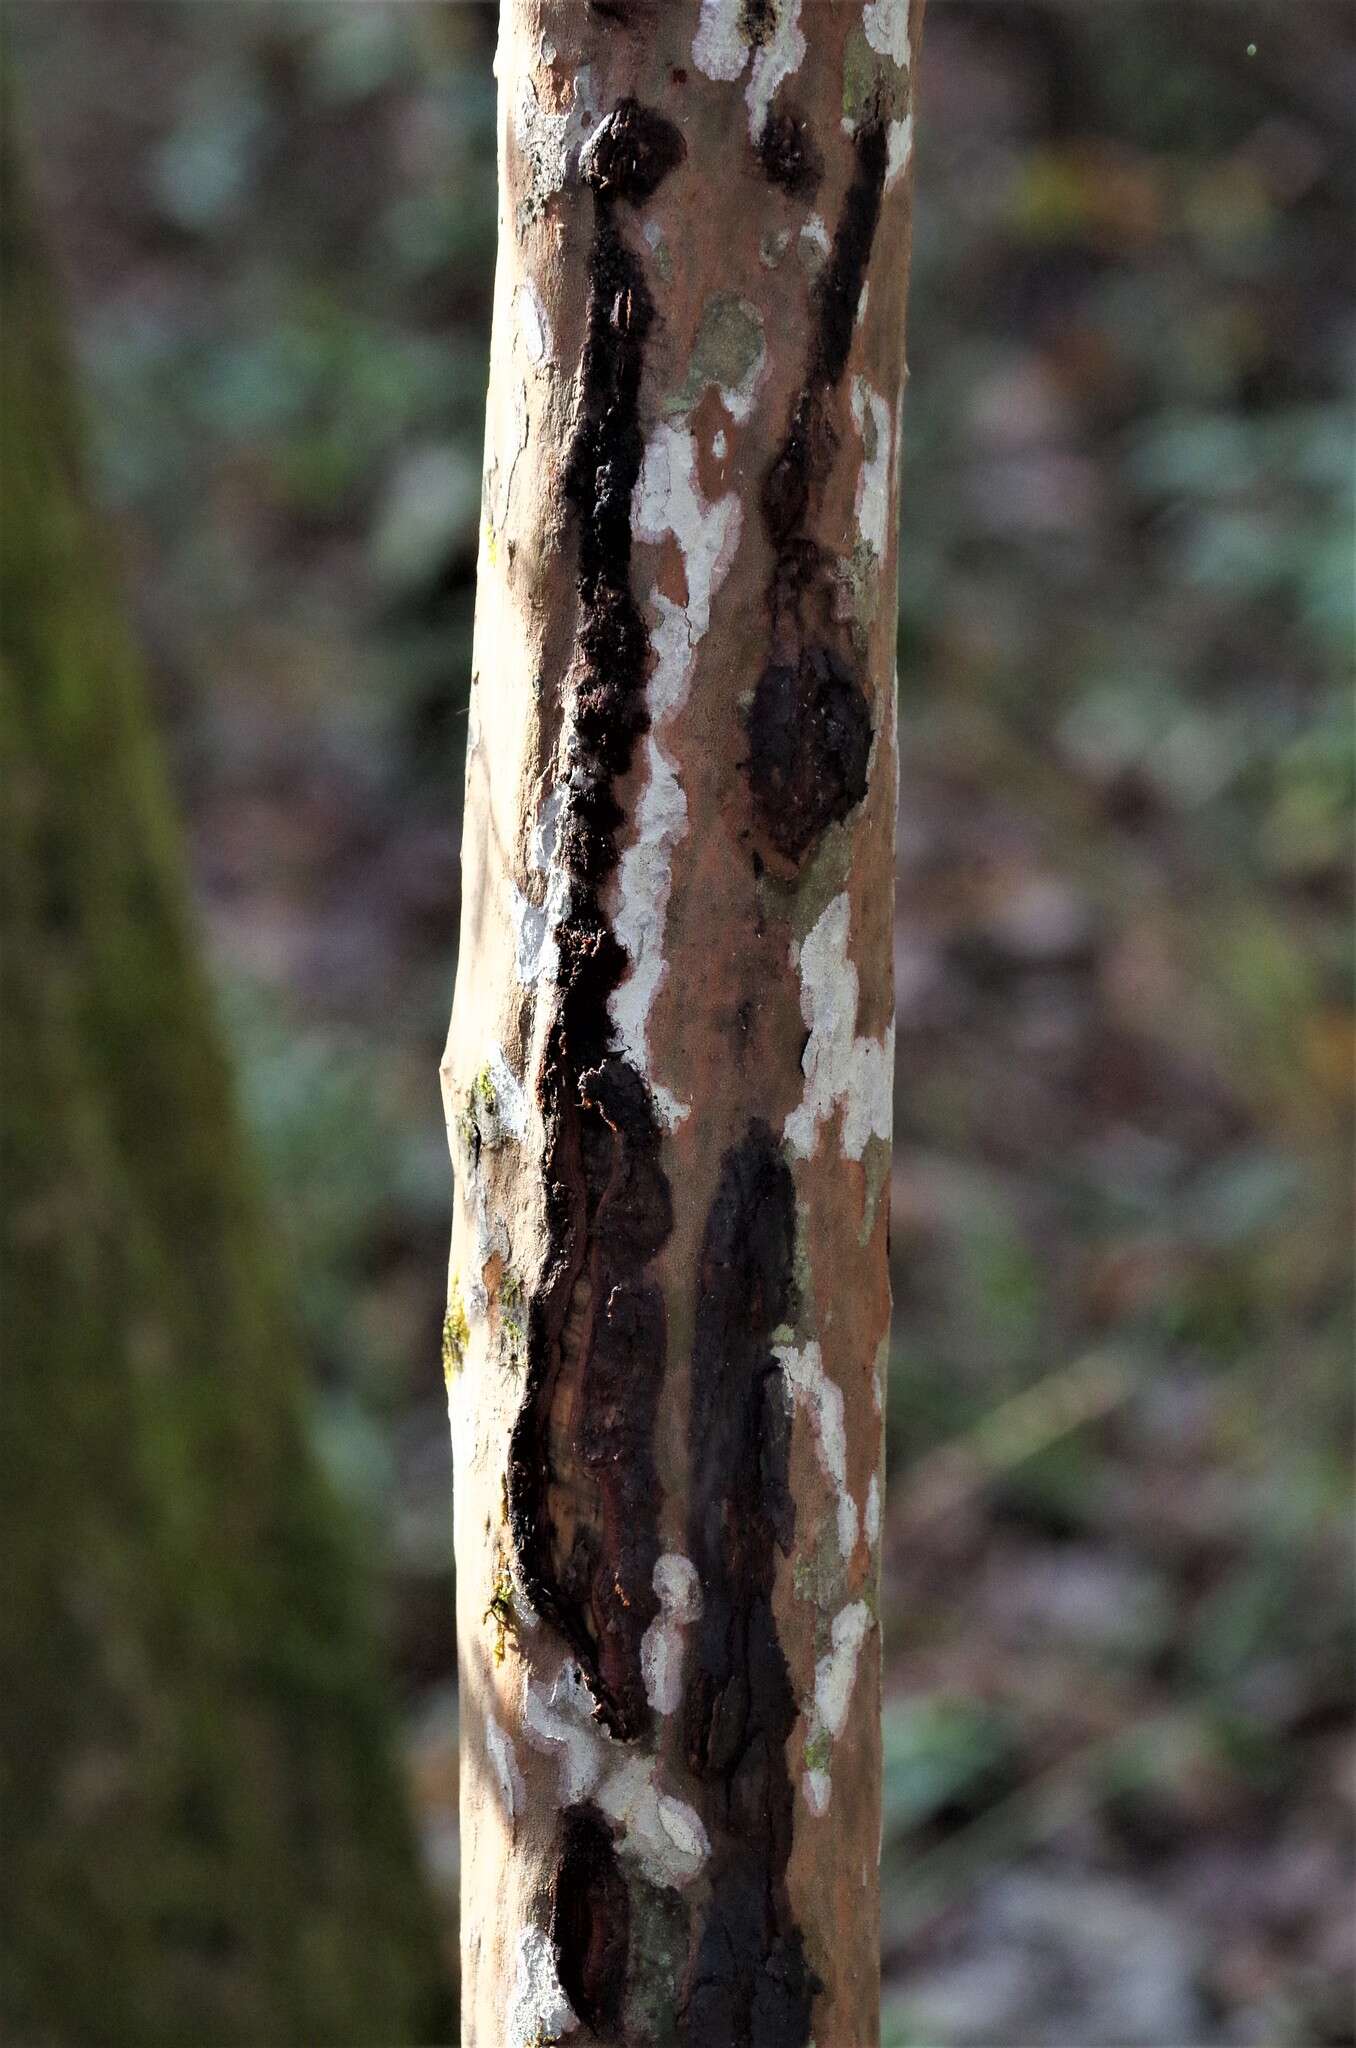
[(810, 720)]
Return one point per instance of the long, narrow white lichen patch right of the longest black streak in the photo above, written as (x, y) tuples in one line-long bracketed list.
[(669, 501)]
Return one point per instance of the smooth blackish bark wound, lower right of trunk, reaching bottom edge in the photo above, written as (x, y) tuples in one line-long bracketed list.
[(749, 1981)]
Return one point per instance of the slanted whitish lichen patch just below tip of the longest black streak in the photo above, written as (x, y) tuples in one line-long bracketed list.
[(656, 1832)]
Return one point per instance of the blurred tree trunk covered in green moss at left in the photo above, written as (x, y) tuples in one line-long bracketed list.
[(204, 1832)]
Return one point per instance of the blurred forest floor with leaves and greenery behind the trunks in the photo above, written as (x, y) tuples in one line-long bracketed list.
[(1121, 1773)]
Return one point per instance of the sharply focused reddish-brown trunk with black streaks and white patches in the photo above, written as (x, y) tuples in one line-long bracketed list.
[(669, 1076)]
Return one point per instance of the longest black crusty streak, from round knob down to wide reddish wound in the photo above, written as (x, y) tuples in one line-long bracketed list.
[(583, 1486)]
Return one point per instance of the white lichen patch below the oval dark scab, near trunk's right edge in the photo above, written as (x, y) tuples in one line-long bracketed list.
[(843, 1072)]
